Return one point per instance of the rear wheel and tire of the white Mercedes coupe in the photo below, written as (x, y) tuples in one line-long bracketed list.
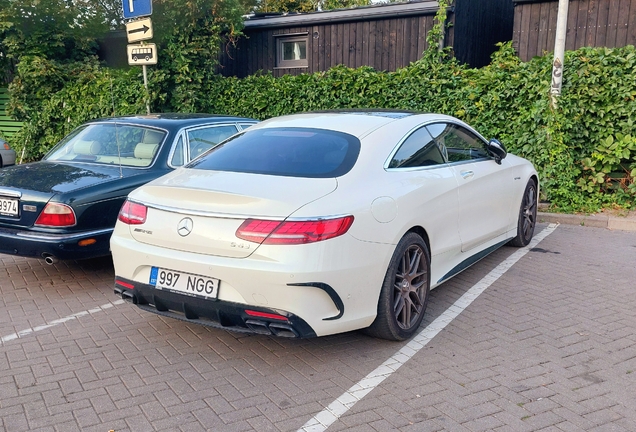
[(404, 293)]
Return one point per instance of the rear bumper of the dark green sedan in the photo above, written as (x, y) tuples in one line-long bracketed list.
[(61, 246)]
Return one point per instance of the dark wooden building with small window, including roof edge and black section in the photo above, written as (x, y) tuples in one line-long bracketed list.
[(386, 37)]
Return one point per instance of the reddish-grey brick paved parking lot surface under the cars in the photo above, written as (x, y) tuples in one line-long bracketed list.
[(550, 345)]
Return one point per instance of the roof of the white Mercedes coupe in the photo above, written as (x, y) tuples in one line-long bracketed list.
[(358, 122)]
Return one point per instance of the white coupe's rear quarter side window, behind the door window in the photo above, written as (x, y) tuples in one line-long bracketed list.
[(418, 150)]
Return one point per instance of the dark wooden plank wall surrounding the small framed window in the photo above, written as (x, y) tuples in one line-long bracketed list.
[(385, 44)]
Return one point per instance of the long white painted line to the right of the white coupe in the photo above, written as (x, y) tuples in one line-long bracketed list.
[(321, 421)]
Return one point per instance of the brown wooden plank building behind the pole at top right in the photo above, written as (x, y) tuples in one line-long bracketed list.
[(594, 23)]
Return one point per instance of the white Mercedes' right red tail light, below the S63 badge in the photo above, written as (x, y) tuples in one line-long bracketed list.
[(293, 232)]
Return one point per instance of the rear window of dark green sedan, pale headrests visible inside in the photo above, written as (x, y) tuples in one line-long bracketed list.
[(108, 143)]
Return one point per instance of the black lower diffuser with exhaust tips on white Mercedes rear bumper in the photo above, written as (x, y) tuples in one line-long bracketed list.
[(212, 313)]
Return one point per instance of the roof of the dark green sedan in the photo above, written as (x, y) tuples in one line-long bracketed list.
[(171, 120)]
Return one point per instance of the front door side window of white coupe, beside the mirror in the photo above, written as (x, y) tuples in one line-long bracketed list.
[(459, 143)]
